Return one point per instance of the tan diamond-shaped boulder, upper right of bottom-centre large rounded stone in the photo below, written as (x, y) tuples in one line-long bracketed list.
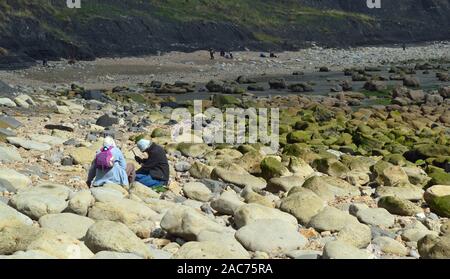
[(303, 204)]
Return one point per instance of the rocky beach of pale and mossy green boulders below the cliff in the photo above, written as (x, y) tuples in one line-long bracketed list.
[(362, 170)]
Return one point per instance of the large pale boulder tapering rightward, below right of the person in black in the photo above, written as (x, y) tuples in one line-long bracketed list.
[(188, 223)]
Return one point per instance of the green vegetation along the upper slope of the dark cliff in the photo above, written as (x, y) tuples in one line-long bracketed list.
[(258, 15)]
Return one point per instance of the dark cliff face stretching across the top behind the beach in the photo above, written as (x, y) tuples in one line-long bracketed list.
[(41, 31)]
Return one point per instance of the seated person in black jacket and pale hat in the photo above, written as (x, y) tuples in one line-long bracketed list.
[(154, 169)]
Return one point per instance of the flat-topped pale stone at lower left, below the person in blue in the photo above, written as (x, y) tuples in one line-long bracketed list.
[(67, 223)]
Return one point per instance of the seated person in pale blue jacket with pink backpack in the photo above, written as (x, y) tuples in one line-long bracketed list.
[(109, 166)]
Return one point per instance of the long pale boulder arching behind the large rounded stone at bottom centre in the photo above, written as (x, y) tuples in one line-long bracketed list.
[(249, 213)]
